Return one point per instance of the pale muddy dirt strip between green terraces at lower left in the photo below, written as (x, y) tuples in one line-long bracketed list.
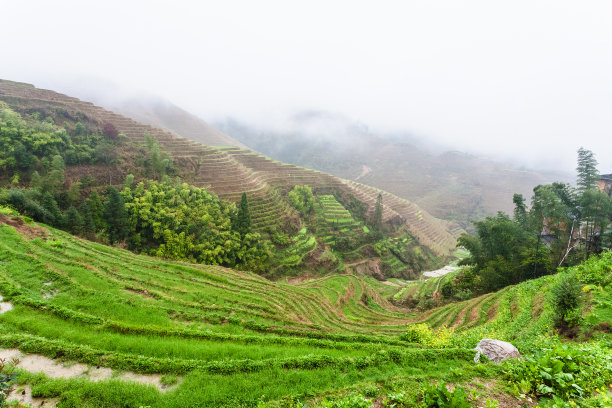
[(36, 363)]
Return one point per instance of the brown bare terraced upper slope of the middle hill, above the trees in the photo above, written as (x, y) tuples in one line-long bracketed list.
[(230, 171)]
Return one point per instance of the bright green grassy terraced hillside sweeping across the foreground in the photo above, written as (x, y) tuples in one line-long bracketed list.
[(221, 337)]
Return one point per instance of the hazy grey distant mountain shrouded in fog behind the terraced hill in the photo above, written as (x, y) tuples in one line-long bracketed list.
[(451, 185)]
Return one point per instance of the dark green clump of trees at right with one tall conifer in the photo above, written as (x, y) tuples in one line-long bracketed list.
[(563, 227)]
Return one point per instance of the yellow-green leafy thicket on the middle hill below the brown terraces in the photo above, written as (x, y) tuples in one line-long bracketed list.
[(179, 221)]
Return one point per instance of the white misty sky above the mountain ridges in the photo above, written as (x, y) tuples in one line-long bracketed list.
[(529, 79)]
